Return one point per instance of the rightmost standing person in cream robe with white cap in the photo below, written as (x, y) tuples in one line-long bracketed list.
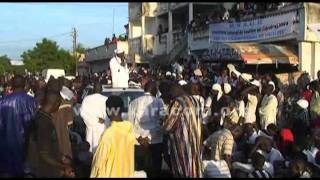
[(268, 109)]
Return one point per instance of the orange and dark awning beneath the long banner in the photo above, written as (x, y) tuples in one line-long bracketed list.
[(254, 53)]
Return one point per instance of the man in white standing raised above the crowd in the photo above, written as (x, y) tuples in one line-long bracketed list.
[(119, 70)]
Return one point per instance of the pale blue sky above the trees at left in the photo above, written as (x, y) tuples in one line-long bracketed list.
[(22, 25)]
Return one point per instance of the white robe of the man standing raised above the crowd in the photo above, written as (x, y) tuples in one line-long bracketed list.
[(119, 74)]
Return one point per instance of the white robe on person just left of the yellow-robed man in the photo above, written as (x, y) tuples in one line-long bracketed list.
[(93, 107)]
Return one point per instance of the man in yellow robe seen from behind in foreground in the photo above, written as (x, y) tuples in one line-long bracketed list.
[(114, 156)]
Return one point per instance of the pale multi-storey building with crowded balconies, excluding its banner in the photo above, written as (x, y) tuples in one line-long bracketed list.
[(145, 44)]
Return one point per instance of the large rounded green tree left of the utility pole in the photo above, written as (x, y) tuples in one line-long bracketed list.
[(47, 54)]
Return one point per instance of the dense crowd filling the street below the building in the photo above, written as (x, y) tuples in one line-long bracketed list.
[(198, 121)]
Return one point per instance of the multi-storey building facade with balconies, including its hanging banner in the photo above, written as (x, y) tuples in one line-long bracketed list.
[(162, 32)]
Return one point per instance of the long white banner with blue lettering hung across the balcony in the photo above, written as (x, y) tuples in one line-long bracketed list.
[(281, 25)]
